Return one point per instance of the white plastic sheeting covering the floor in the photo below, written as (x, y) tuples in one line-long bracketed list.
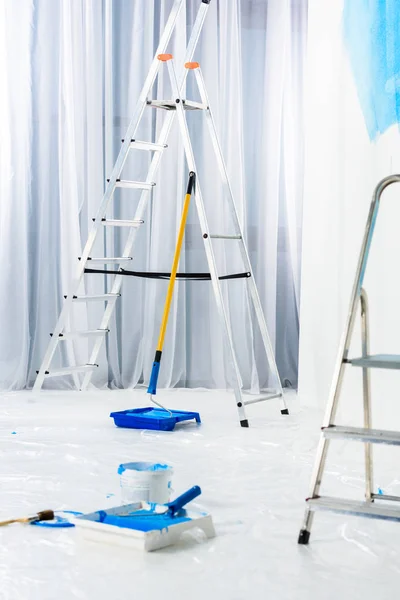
[(61, 451)]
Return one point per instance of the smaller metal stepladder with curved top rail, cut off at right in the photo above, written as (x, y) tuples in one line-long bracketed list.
[(366, 434)]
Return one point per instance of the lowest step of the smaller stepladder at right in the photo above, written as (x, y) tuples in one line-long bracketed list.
[(354, 507)]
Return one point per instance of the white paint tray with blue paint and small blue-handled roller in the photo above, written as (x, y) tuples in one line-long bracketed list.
[(145, 525)]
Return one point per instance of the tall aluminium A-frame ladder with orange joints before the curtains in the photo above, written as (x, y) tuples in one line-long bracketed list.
[(177, 106)]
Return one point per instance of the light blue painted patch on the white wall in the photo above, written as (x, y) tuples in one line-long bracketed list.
[(371, 30)]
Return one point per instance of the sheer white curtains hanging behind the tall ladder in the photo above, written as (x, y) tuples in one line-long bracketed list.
[(61, 126)]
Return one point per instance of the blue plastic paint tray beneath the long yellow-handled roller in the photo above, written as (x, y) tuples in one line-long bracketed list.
[(152, 418)]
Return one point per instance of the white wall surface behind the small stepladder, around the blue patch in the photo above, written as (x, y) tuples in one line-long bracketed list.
[(343, 166)]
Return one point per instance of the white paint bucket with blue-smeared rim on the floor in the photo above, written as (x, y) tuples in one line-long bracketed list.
[(145, 482)]
